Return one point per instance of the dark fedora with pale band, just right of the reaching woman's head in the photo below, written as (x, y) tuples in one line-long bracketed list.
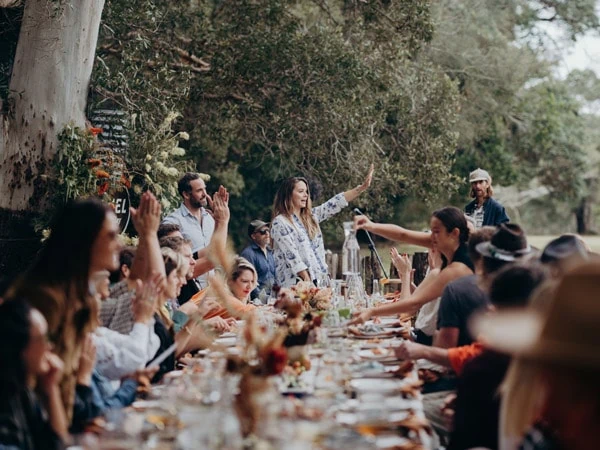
[(508, 243)]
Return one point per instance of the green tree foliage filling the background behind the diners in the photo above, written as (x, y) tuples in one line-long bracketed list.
[(273, 88)]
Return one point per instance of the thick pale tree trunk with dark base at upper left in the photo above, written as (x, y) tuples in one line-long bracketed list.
[(48, 89)]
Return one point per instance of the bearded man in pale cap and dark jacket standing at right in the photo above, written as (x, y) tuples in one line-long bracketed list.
[(484, 209)]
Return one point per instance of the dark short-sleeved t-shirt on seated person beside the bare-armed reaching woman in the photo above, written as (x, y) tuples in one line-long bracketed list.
[(460, 299)]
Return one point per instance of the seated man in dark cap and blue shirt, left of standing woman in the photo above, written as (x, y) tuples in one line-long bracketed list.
[(260, 254)]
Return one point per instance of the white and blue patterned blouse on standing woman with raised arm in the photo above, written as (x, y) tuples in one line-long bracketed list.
[(294, 250)]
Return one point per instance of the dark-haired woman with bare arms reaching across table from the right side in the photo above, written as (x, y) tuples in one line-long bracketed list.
[(449, 235)]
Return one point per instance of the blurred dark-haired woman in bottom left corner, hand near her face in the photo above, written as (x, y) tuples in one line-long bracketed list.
[(26, 356)]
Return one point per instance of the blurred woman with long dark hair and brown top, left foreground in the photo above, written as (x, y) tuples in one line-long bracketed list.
[(83, 240)]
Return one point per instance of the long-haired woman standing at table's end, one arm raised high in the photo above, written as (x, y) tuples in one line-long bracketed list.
[(297, 240)]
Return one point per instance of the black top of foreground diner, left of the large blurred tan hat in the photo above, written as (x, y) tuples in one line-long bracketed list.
[(476, 415)]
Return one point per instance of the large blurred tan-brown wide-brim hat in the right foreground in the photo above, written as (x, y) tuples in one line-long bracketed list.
[(568, 334)]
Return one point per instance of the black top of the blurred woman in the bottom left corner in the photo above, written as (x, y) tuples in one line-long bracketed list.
[(24, 425)]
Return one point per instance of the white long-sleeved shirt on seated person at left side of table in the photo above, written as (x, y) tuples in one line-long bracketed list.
[(121, 354)]
